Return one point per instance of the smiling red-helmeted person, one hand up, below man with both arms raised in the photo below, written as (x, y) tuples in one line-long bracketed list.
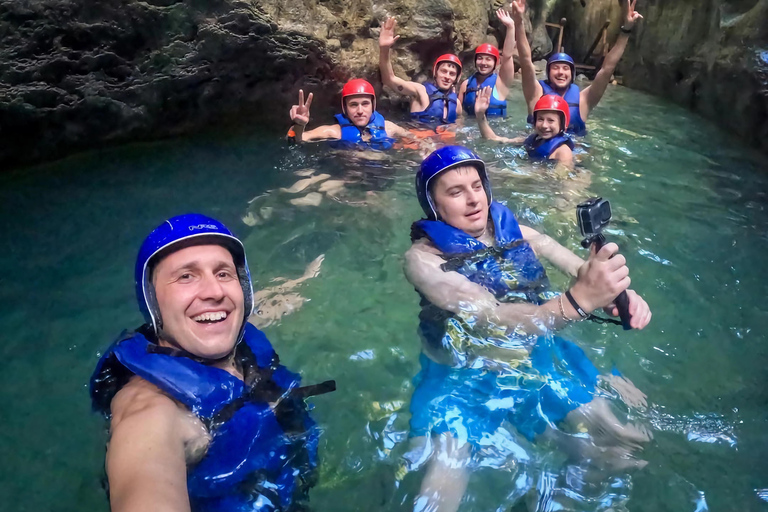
[(549, 141)]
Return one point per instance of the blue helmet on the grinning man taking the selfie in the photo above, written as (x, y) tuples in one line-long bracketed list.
[(192, 229)]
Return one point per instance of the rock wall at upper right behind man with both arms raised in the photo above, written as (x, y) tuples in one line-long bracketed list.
[(708, 55)]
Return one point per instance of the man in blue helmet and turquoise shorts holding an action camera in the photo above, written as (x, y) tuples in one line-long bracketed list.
[(486, 323)]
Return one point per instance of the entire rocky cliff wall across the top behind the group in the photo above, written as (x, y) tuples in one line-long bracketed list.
[(76, 74)]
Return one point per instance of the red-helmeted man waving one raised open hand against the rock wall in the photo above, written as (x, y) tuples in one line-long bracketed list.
[(434, 102)]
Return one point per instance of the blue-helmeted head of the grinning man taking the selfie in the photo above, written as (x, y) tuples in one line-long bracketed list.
[(193, 285)]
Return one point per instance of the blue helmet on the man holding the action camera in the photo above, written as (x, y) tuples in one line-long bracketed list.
[(439, 161)]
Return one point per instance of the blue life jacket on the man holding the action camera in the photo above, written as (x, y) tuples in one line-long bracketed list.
[(509, 270)]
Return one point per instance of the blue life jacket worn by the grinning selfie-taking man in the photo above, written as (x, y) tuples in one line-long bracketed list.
[(260, 457)]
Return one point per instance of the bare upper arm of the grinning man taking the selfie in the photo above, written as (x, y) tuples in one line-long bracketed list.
[(146, 463)]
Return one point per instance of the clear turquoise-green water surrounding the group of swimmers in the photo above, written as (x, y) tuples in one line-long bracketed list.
[(689, 210)]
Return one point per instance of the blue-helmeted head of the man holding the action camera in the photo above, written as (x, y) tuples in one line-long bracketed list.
[(452, 186)]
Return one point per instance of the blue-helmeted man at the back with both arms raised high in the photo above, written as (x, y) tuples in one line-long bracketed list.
[(561, 71)]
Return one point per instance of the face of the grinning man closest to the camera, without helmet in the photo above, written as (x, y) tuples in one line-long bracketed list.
[(200, 300)]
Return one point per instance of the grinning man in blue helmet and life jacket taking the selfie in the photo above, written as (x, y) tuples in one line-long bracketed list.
[(202, 414)]
